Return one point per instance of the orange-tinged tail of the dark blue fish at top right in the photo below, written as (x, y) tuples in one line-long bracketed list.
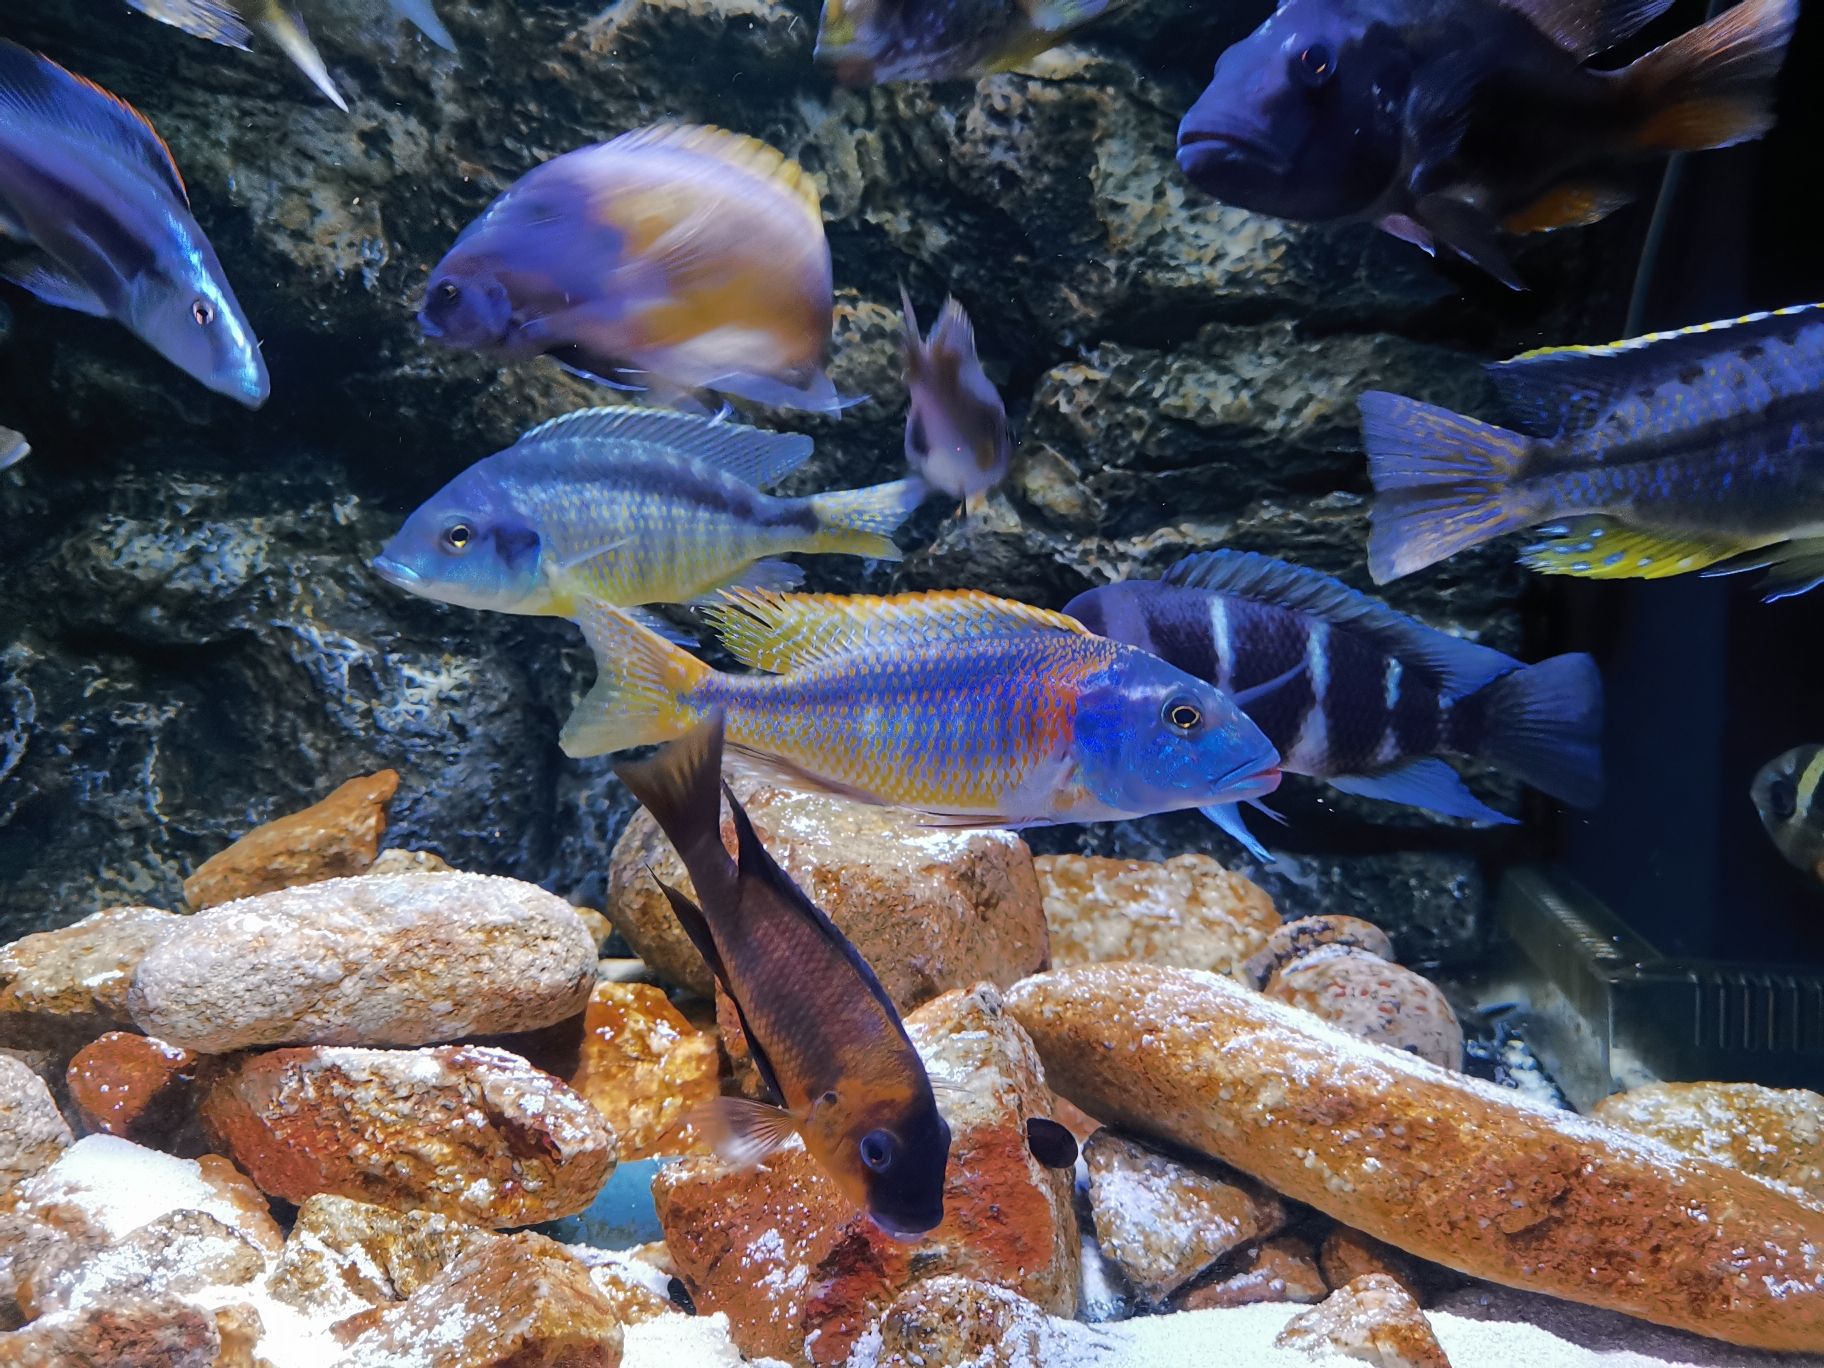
[(1714, 87)]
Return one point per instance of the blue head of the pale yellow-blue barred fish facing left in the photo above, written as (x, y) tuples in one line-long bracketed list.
[(470, 546)]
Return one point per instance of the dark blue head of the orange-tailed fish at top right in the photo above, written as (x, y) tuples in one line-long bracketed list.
[(1303, 119)]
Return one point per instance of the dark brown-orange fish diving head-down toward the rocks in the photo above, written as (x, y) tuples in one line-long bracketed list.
[(825, 1037)]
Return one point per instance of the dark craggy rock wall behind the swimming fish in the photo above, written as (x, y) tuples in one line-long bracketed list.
[(191, 639)]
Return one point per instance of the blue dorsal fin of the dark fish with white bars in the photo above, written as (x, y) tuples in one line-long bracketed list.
[(1456, 667)]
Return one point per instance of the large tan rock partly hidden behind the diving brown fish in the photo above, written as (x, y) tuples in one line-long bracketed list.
[(929, 909)]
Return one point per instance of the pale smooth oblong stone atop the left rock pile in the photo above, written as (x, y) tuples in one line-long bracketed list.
[(397, 960)]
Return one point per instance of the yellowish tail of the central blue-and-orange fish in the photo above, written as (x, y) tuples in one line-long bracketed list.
[(641, 687)]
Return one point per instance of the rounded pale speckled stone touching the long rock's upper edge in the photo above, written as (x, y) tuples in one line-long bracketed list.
[(1374, 1000)]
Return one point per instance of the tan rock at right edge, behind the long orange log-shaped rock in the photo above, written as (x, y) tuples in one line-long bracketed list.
[(1761, 1132)]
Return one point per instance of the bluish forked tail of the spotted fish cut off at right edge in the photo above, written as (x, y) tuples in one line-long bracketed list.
[(1444, 482)]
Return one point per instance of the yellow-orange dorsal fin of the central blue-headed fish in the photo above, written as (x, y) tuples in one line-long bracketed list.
[(794, 632)]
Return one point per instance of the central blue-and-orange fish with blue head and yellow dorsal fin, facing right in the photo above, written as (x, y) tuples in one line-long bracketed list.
[(969, 709)]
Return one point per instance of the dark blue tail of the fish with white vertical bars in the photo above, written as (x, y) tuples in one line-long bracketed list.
[(1544, 727)]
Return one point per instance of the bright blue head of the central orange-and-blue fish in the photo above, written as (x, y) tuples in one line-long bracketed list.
[(1152, 738)]
